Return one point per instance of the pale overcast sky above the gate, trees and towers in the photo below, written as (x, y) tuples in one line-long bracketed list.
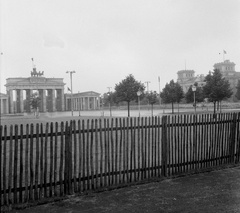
[(106, 40)]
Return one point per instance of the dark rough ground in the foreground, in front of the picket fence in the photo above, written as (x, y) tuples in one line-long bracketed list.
[(216, 191)]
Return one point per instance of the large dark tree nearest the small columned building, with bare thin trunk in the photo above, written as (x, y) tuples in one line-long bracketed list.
[(127, 89)]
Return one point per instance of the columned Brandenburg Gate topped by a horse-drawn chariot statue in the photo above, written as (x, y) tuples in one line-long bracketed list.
[(50, 91)]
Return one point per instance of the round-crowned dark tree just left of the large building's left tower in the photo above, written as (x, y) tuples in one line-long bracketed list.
[(172, 93)]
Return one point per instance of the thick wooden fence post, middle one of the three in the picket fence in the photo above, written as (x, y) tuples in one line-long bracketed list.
[(164, 146)]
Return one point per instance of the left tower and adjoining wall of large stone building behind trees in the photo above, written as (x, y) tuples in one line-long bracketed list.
[(186, 78)]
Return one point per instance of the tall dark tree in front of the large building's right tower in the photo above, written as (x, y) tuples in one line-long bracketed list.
[(217, 88)]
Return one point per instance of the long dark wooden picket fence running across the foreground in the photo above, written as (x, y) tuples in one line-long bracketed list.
[(52, 160)]
